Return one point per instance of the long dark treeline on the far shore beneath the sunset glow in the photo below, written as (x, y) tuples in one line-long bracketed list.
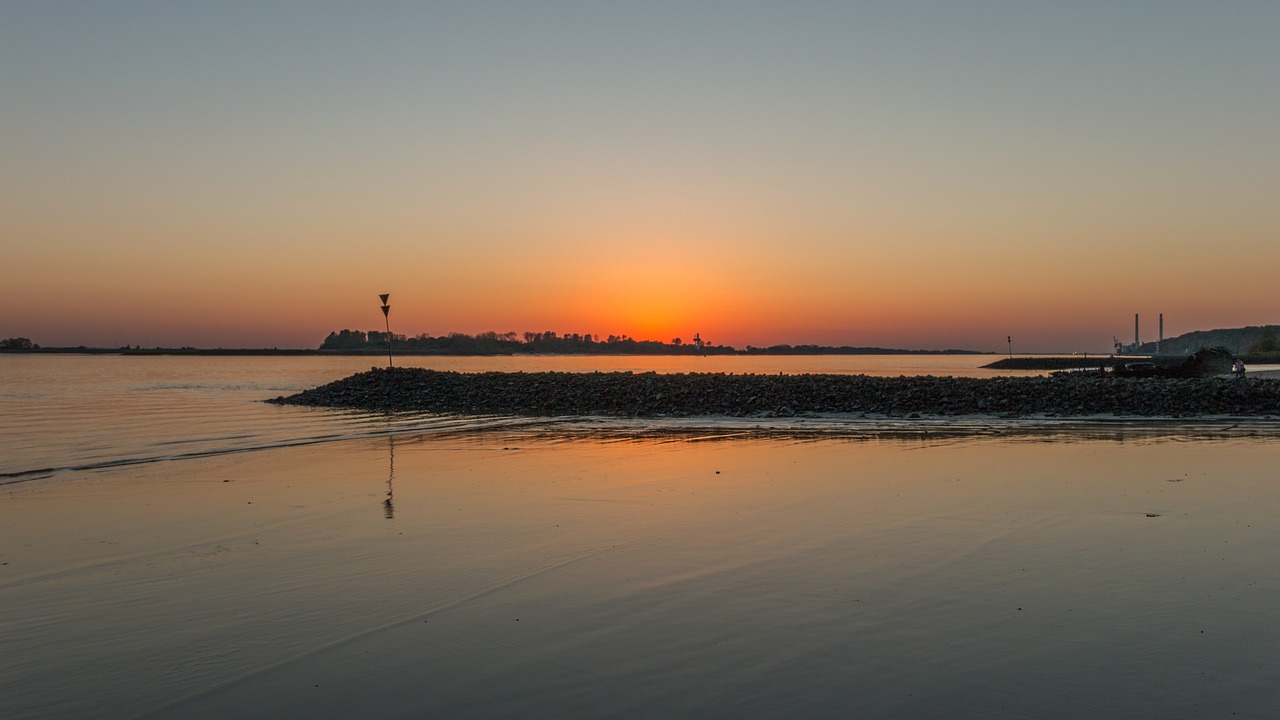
[(575, 344)]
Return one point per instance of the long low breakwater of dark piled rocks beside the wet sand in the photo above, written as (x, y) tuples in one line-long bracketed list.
[(751, 395)]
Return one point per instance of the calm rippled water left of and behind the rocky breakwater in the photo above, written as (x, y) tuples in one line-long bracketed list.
[(74, 412)]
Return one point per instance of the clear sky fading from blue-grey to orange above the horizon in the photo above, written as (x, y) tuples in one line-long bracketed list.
[(916, 175)]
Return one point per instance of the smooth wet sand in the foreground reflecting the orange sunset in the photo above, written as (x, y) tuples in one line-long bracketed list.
[(1123, 575)]
